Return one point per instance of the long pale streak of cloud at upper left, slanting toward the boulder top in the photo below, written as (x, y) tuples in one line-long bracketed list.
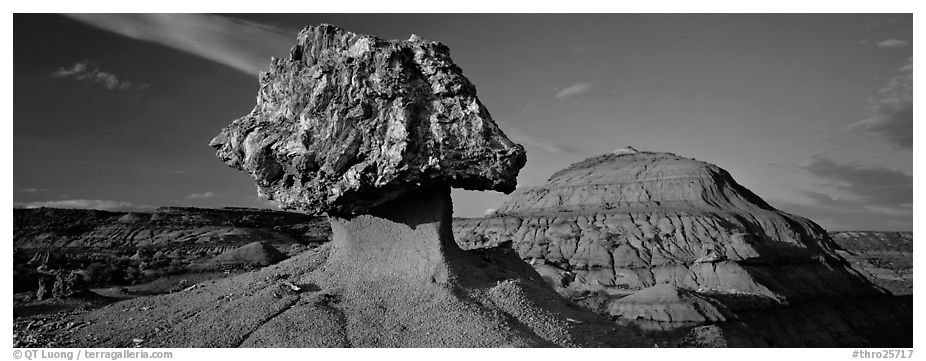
[(239, 44)]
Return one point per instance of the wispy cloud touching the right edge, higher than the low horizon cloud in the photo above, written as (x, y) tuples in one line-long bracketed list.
[(891, 109)]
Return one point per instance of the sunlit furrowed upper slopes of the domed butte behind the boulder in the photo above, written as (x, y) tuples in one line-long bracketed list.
[(634, 220)]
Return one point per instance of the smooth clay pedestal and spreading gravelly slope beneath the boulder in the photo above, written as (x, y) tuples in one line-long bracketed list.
[(393, 278)]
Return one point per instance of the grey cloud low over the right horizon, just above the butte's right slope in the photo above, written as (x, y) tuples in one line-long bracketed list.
[(869, 186)]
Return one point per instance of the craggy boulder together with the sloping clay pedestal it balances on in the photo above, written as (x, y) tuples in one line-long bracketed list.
[(374, 133)]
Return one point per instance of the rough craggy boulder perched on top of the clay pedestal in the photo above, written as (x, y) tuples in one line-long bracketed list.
[(350, 121)]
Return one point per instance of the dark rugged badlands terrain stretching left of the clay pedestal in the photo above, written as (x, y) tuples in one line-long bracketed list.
[(132, 248)]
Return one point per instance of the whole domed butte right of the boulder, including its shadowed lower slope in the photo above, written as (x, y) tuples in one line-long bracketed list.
[(662, 242)]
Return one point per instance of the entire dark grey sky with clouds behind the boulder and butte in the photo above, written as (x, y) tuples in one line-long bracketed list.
[(814, 113)]
